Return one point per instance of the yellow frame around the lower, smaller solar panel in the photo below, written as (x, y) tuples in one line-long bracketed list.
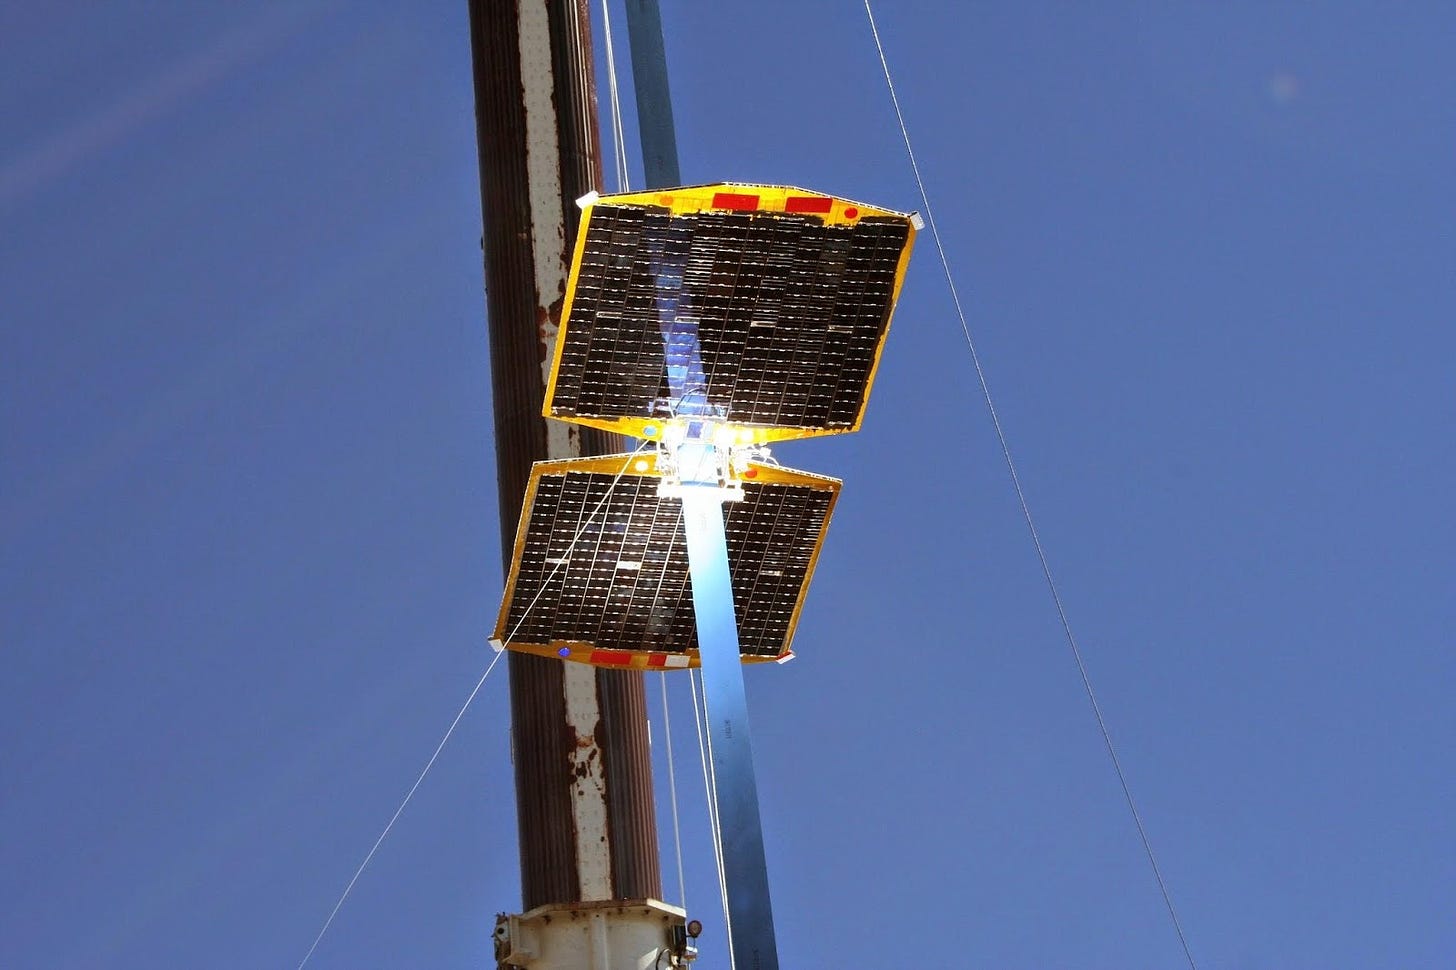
[(644, 464)]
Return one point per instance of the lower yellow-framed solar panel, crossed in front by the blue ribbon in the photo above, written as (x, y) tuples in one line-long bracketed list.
[(601, 572)]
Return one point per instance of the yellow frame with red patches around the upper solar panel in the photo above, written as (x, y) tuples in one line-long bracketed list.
[(700, 199)]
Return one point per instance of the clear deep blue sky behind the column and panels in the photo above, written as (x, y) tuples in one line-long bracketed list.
[(248, 529)]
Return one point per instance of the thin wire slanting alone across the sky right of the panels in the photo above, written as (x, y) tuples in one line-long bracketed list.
[(1026, 508)]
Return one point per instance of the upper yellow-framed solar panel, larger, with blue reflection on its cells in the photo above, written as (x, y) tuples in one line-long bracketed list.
[(787, 296)]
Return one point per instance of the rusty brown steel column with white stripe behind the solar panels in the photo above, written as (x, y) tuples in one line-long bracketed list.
[(583, 771)]
